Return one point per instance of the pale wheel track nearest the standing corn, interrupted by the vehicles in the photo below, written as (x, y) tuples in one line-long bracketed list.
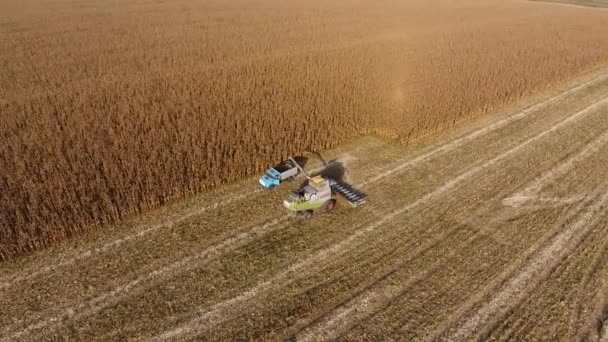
[(108, 246)]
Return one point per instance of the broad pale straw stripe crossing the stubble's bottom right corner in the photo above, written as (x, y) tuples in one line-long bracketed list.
[(513, 291)]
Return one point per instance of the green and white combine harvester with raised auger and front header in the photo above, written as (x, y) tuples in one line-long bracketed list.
[(320, 194)]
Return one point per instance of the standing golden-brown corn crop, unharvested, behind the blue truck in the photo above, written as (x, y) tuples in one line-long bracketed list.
[(111, 108)]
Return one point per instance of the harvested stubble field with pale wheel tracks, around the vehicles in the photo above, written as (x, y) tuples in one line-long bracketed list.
[(497, 230)]
